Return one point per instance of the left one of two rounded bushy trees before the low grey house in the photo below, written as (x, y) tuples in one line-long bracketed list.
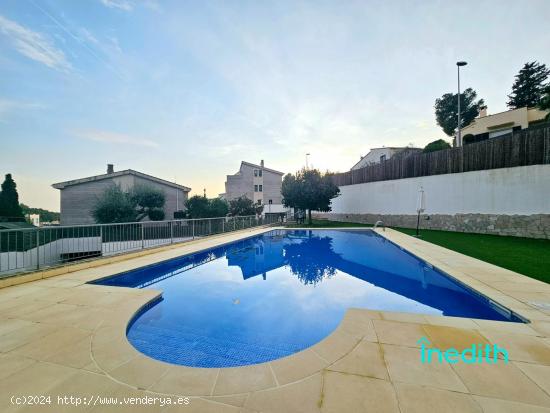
[(114, 206)]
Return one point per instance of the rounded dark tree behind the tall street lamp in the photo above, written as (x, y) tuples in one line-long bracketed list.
[(446, 110)]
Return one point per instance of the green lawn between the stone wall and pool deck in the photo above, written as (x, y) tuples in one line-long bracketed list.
[(527, 256)]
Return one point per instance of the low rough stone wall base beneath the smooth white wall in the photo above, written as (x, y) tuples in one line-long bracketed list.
[(530, 226)]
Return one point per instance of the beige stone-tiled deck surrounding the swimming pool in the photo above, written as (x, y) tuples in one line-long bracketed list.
[(61, 336)]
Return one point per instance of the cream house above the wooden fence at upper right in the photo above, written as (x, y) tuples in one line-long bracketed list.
[(498, 124)]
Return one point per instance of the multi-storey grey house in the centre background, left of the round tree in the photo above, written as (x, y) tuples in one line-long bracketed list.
[(258, 183)]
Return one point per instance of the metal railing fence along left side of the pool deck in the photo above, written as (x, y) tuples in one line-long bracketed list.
[(29, 249)]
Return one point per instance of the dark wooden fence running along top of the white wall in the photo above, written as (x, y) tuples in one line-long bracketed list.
[(526, 147)]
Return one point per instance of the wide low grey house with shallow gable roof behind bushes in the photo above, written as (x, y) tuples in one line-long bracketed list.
[(79, 196)]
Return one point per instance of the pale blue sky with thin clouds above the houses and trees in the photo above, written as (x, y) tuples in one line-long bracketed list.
[(185, 90)]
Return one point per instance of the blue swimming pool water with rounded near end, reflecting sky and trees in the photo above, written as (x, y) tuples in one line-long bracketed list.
[(272, 295)]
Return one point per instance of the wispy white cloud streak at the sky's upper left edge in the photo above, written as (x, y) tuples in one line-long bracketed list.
[(34, 45)]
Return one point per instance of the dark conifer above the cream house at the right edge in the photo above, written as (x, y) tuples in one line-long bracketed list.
[(528, 88)]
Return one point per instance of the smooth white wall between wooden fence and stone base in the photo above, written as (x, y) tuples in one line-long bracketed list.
[(508, 191)]
